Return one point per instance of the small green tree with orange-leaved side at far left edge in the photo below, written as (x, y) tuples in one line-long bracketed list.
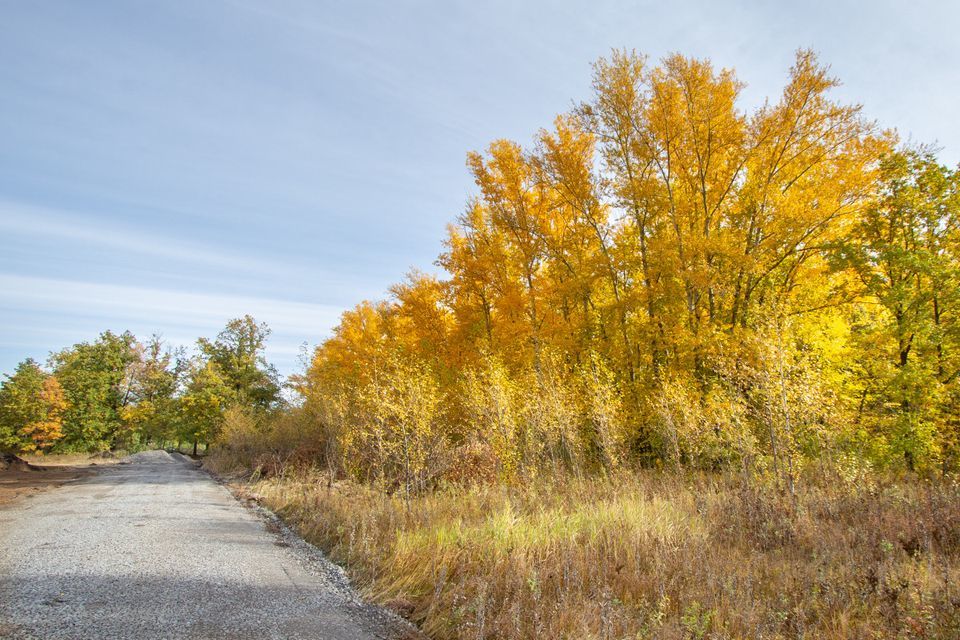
[(32, 404)]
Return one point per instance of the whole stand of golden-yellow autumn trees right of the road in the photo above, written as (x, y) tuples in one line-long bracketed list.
[(661, 276)]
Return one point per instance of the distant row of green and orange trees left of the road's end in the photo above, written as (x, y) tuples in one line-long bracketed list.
[(117, 392)]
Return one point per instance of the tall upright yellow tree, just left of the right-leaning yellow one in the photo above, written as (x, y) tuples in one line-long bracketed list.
[(676, 146)]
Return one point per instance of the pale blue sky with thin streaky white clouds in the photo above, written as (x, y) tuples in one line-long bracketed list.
[(168, 166)]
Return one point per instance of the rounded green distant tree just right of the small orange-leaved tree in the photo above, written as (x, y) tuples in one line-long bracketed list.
[(95, 378)]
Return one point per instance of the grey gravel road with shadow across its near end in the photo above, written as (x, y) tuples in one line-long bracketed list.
[(156, 549)]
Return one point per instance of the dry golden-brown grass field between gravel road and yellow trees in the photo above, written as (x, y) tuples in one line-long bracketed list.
[(648, 555)]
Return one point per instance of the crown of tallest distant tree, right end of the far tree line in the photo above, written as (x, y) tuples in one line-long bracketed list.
[(237, 352)]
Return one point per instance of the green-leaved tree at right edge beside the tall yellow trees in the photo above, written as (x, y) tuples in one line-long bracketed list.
[(904, 251)]
